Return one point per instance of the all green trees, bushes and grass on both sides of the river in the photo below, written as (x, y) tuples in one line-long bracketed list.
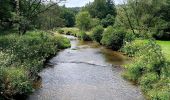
[(31, 33)]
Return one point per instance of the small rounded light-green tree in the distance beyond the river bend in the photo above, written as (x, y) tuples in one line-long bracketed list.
[(83, 20)]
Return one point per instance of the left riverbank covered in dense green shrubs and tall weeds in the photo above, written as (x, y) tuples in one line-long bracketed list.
[(22, 57)]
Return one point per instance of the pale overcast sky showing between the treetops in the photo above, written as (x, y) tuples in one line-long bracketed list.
[(80, 3)]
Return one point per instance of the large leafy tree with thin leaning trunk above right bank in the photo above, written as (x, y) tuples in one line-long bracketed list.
[(141, 16)]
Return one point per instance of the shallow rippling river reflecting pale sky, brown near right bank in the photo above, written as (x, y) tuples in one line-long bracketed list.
[(85, 71)]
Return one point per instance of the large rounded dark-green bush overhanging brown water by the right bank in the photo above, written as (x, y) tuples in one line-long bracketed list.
[(113, 38)]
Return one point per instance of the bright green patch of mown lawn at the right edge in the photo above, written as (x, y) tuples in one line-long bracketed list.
[(165, 48)]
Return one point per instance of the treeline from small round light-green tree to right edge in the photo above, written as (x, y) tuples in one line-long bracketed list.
[(144, 18)]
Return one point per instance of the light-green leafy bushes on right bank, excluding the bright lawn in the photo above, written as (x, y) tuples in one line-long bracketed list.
[(150, 69)]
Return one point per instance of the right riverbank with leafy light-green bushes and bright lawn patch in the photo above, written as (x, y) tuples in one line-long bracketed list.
[(150, 67)]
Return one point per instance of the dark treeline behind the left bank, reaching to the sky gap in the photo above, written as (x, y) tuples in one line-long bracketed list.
[(24, 15)]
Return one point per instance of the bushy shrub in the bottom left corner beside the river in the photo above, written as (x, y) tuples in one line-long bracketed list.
[(15, 81)]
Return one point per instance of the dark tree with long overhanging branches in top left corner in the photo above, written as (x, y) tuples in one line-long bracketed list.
[(22, 13)]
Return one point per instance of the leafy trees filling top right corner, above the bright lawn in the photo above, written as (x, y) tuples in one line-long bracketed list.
[(146, 18)]
